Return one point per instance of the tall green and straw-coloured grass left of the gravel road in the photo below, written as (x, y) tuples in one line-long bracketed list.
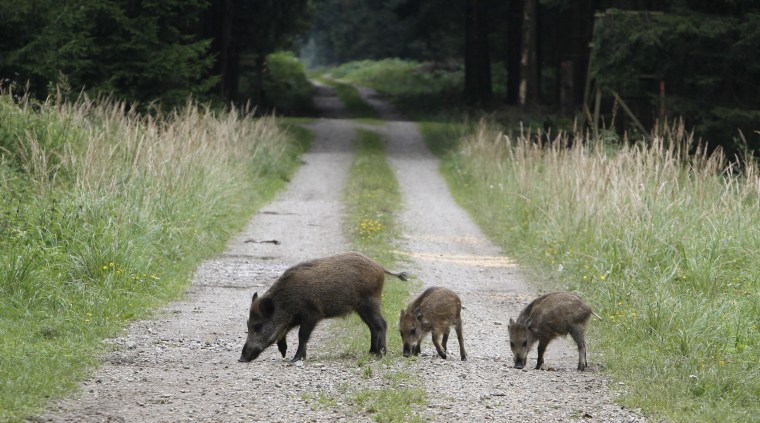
[(103, 211)]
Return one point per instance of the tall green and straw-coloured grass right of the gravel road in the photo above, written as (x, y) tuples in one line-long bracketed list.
[(661, 238)]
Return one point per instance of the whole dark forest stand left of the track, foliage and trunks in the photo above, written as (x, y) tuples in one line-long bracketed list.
[(145, 50)]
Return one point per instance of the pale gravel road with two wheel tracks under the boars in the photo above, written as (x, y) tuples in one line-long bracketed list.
[(182, 366)]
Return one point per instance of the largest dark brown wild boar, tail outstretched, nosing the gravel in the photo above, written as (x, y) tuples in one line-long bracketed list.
[(314, 290)]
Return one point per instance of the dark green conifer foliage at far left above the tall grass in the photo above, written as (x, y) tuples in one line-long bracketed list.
[(139, 50)]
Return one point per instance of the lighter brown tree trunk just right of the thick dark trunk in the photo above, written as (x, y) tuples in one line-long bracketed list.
[(528, 91)]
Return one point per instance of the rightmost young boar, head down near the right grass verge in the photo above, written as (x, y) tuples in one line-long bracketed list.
[(547, 317)]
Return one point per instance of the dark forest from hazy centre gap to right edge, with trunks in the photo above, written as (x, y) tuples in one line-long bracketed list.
[(666, 59)]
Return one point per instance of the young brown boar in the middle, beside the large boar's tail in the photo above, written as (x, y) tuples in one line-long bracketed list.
[(435, 310)]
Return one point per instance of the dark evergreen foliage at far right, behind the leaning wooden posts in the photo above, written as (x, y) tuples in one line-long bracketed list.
[(706, 63)]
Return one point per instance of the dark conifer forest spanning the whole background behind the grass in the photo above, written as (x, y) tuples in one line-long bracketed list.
[(593, 60)]
